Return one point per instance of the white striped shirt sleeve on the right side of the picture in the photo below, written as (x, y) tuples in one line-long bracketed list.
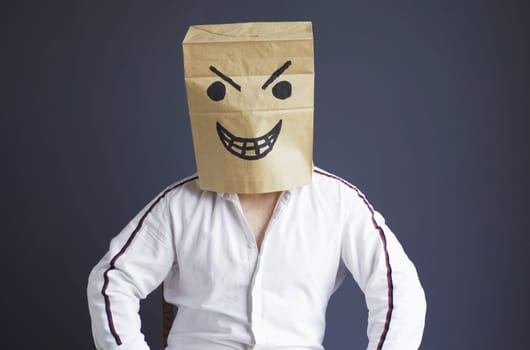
[(394, 296)]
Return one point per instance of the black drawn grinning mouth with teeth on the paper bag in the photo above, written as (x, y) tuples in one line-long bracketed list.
[(249, 148)]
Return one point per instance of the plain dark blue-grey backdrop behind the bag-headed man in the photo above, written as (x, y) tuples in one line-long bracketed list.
[(423, 105)]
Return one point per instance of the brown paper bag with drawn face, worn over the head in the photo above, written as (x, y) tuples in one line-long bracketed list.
[(250, 90)]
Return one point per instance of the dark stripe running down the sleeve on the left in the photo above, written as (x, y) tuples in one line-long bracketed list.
[(121, 252)]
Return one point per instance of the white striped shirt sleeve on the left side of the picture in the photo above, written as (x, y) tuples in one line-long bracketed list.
[(138, 260)]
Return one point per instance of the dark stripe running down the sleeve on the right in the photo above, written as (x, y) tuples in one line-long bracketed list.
[(387, 259)]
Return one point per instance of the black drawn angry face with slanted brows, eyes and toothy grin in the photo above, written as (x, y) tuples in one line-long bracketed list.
[(257, 147)]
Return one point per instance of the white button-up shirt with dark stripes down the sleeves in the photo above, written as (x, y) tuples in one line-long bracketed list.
[(230, 296)]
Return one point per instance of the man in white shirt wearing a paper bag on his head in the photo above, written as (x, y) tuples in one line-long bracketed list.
[(252, 248)]
